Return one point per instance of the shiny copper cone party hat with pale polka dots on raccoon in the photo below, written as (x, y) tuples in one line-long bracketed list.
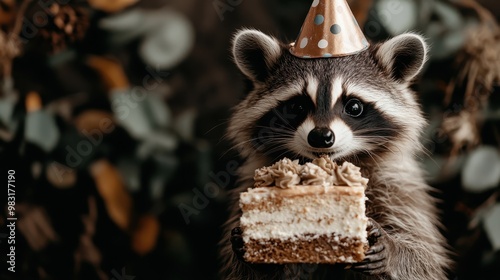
[(330, 30)]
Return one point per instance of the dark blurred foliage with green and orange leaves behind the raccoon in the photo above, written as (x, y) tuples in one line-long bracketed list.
[(113, 115)]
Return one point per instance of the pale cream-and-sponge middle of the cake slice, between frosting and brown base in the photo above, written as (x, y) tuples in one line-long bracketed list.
[(284, 214)]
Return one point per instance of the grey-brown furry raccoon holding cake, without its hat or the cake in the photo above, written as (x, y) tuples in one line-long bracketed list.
[(358, 108)]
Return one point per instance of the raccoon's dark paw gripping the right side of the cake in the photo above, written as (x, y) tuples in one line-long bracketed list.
[(376, 256)]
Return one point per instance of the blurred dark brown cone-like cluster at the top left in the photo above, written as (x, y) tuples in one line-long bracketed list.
[(67, 25)]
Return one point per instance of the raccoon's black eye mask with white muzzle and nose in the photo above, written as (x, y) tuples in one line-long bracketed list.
[(296, 128)]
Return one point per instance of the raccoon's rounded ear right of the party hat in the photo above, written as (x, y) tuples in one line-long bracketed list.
[(403, 56)]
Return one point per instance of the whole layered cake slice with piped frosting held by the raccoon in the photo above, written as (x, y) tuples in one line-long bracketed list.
[(312, 213)]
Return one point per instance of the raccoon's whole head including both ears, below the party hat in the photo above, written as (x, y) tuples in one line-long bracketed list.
[(347, 107)]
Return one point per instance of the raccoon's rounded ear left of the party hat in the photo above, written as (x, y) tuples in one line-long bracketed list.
[(255, 53)]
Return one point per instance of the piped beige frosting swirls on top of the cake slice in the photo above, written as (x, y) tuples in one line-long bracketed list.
[(321, 171)]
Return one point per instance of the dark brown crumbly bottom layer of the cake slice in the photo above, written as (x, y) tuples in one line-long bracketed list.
[(313, 249)]
